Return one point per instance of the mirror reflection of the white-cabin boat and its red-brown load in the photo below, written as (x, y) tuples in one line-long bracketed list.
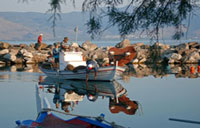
[(68, 93)]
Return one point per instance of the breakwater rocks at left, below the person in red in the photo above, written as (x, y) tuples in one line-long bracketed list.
[(22, 53)]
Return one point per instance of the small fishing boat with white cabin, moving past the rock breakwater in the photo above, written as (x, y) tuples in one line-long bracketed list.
[(75, 59)]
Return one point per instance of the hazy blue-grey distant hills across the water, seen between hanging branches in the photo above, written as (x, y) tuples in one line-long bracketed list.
[(28, 25)]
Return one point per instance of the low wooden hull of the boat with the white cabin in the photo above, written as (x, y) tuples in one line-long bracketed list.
[(103, 74)]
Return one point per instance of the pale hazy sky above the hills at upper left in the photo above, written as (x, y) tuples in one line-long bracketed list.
[(35, 6)]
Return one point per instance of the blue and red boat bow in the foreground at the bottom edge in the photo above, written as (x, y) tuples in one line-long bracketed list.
[(48, 119)]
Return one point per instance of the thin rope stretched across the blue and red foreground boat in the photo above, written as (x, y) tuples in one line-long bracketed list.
[(100, 118)]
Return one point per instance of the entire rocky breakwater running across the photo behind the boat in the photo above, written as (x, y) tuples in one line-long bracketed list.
[(185, 53)]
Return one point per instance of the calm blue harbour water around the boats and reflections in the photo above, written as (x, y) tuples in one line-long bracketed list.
[(161, 94)]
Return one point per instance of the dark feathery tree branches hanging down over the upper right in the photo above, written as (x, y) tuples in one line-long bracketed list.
[(139, 15)]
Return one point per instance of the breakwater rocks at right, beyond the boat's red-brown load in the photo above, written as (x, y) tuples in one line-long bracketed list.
[(187, 53)]
